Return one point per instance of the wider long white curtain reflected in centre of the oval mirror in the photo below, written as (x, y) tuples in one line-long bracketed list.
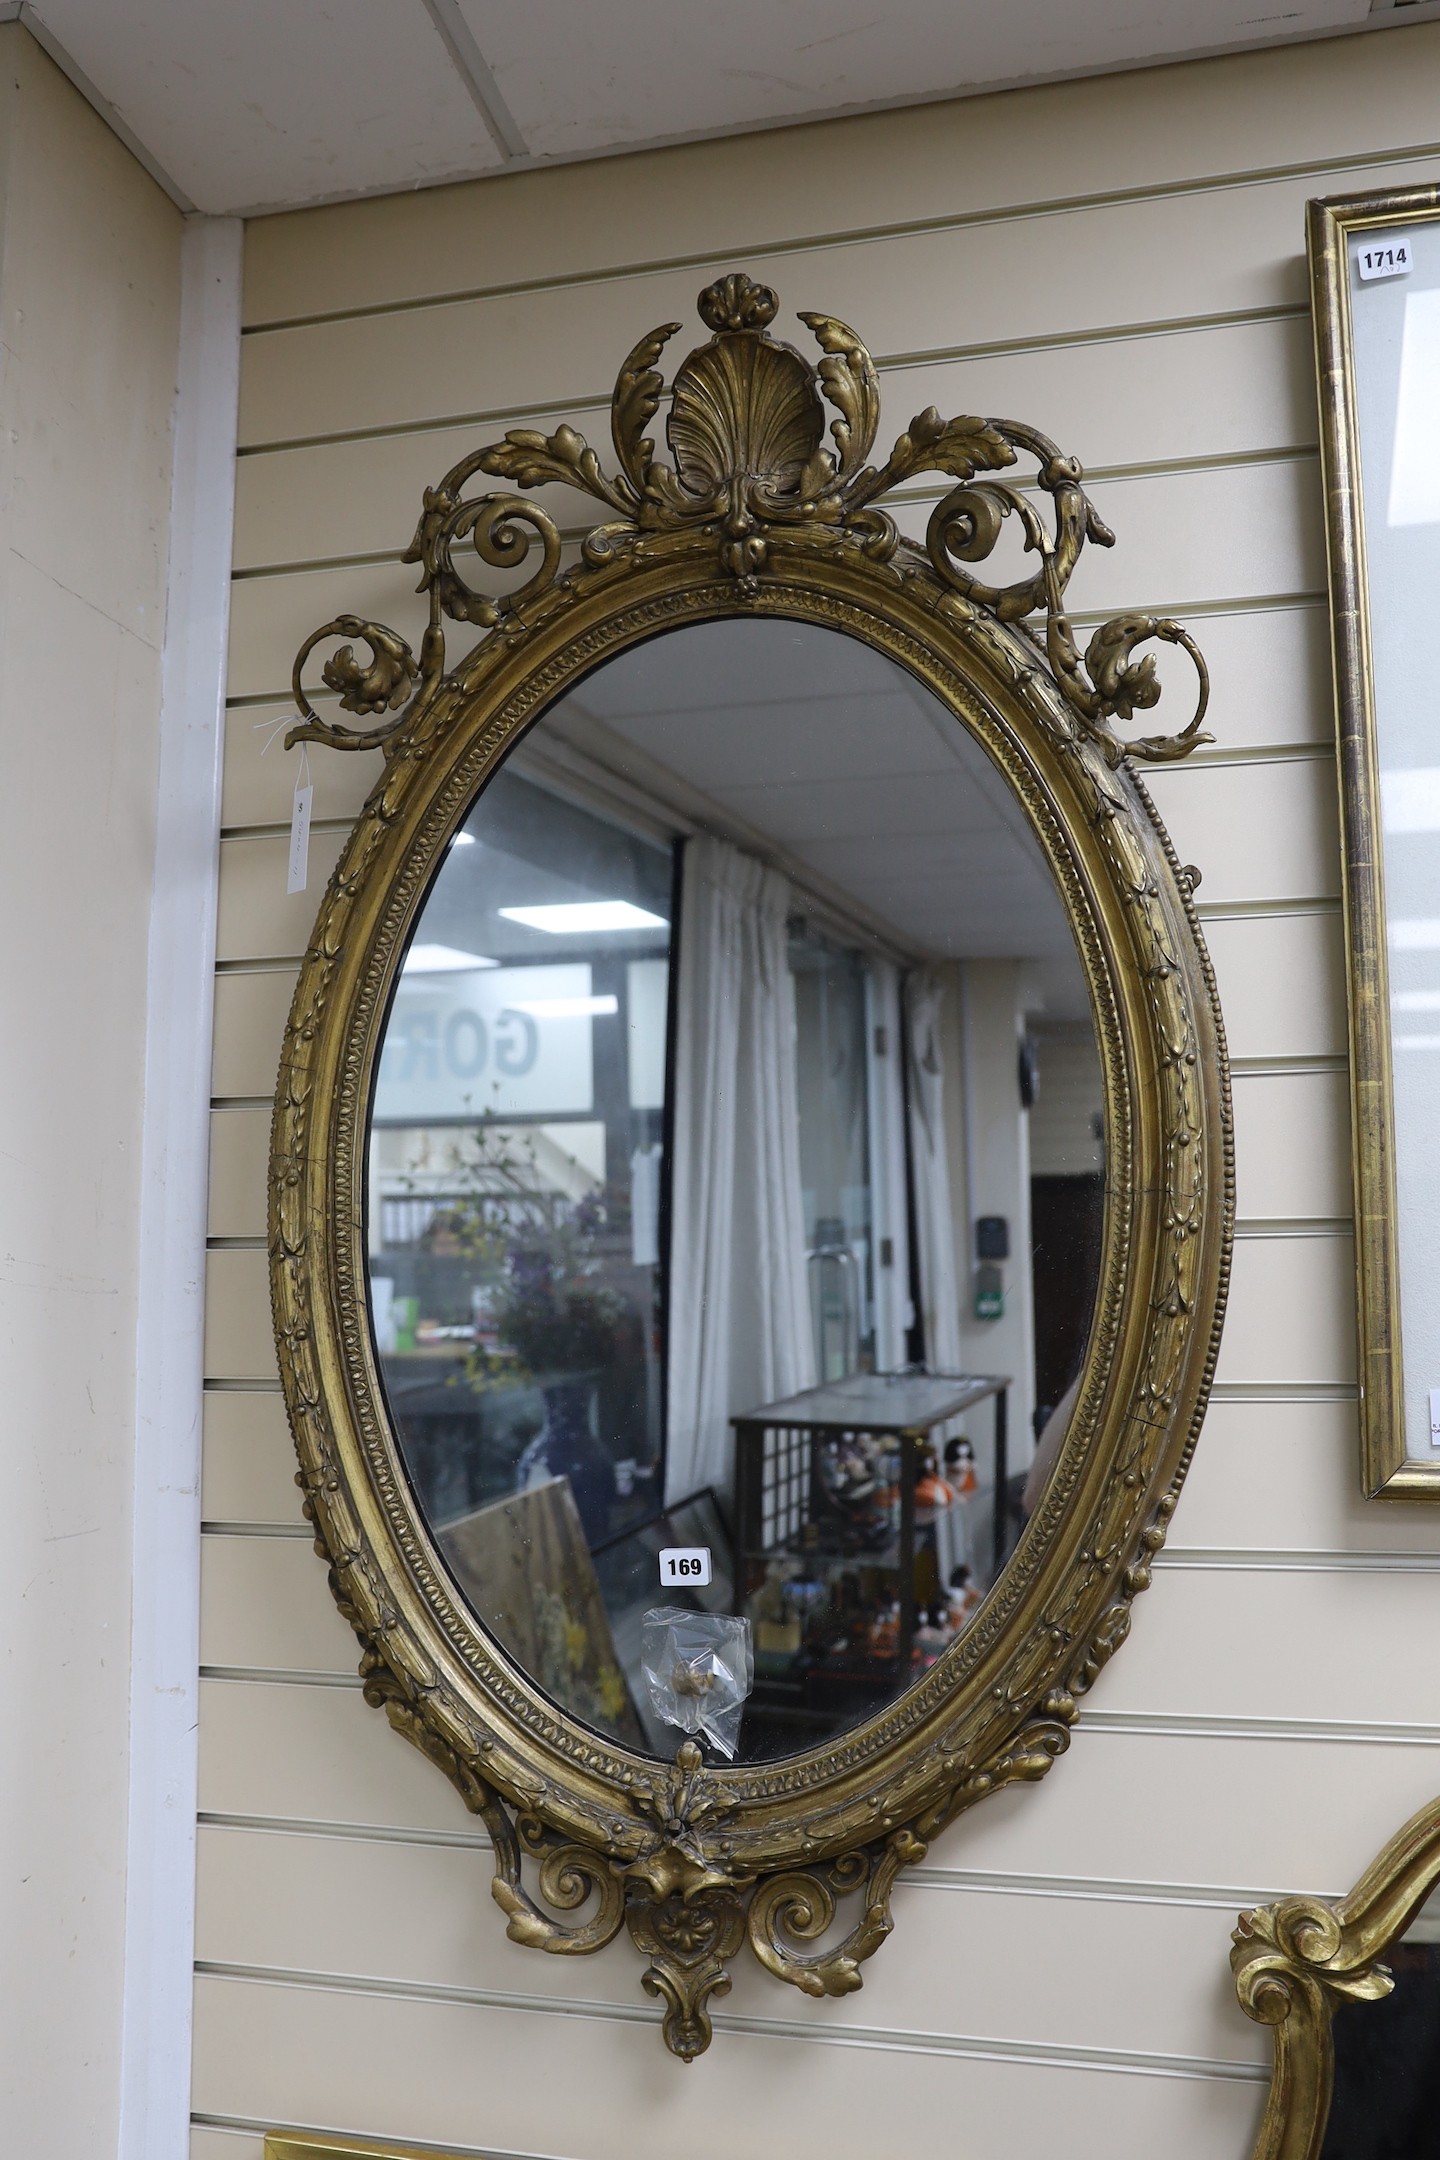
[(739, 1299)]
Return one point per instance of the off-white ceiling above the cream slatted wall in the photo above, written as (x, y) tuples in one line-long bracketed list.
[(288, 103)]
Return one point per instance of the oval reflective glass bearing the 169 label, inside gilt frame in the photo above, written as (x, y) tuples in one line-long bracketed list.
[(735, 1189)]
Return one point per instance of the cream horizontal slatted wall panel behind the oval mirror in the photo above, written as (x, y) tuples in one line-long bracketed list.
[(1119, 262)]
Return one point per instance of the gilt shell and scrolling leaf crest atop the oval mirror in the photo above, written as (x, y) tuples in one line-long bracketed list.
[(752, 478)]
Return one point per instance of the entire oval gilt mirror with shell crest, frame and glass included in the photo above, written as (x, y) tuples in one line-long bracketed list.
[(750, 1191)]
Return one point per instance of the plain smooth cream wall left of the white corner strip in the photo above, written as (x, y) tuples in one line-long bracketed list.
[(90, 303)]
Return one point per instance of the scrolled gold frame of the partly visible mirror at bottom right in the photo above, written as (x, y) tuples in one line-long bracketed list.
[(1301, 1960)]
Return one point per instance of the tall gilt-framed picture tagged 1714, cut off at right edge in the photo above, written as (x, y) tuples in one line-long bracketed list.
[(1376, 299)]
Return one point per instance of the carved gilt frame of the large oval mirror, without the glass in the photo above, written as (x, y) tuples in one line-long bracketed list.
[(759, 517)]
